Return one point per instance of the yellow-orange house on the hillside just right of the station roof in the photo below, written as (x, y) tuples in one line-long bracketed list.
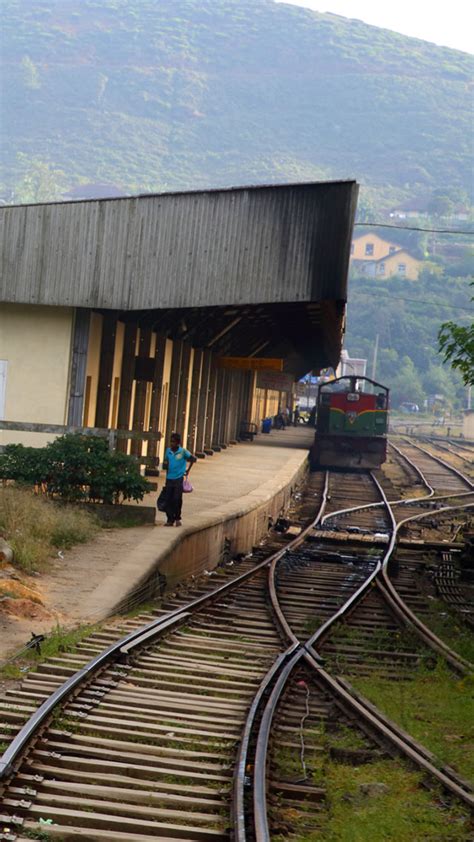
[(379, 258)]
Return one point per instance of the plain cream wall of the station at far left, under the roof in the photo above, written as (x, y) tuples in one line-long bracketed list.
[(35, 342)]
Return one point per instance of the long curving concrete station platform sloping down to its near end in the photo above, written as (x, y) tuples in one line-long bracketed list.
[(235, 494)]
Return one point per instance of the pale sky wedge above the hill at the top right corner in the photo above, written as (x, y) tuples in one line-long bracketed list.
[(446, 23)]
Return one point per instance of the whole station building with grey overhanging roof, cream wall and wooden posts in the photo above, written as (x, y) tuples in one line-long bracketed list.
[(170, 312)]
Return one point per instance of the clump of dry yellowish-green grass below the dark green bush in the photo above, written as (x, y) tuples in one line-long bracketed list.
[(35, 526)]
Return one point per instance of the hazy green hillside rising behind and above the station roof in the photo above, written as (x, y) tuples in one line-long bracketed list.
[(150, 95)]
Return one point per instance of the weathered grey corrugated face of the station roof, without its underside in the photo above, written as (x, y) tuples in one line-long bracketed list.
[(246, 245)]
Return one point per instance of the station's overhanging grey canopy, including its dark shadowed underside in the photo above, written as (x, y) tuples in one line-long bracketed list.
[(250, 271)]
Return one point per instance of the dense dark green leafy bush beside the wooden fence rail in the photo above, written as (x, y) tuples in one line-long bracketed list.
[(74, 468)]
